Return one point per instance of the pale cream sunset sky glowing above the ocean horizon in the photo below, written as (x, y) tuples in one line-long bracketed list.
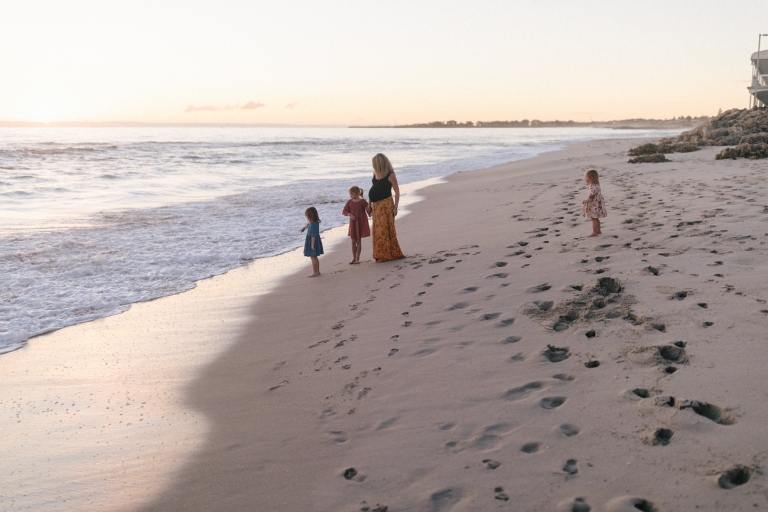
[(363, 62)]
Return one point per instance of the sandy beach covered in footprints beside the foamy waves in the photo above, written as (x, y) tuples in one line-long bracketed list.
[(509, 362)]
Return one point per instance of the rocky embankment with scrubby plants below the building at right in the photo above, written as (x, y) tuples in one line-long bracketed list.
[(746, 129)]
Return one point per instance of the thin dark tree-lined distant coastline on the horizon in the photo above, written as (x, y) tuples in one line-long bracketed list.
[(623, 124)]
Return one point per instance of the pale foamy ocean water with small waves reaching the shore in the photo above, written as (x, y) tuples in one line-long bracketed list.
[(93, 220)]
